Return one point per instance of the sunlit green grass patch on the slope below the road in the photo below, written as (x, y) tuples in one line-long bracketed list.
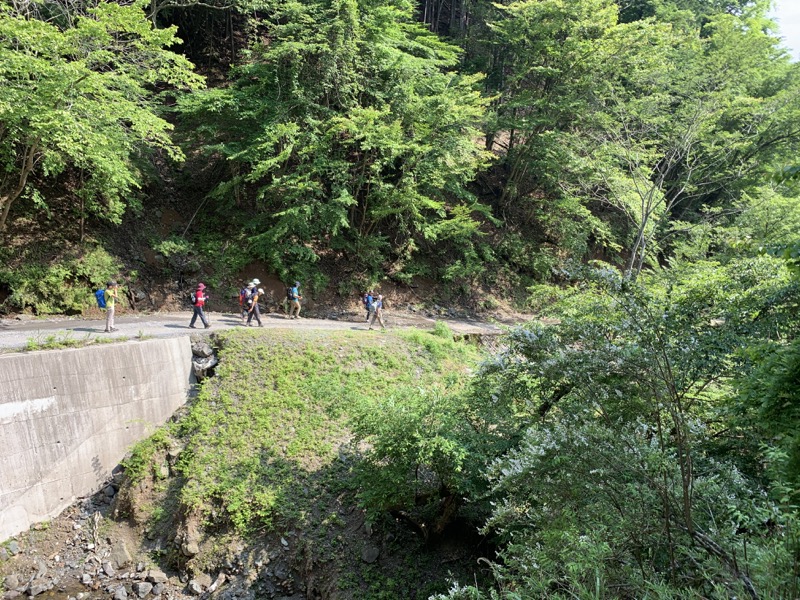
[(263, 438)]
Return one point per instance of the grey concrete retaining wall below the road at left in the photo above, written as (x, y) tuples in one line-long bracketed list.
[(67, 417)]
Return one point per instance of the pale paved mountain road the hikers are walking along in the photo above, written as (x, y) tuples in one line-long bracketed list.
[(16, 334)]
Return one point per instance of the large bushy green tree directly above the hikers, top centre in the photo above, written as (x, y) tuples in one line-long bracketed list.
[(352, 134)]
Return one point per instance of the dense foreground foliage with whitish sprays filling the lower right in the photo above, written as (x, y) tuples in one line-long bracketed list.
[(618, 464)]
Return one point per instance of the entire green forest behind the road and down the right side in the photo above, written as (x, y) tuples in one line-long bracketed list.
[(627, 167)]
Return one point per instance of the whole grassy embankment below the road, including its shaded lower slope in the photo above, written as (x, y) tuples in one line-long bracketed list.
[(265, 446)]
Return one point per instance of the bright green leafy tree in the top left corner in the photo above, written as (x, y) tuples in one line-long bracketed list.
[(78, 94)]
